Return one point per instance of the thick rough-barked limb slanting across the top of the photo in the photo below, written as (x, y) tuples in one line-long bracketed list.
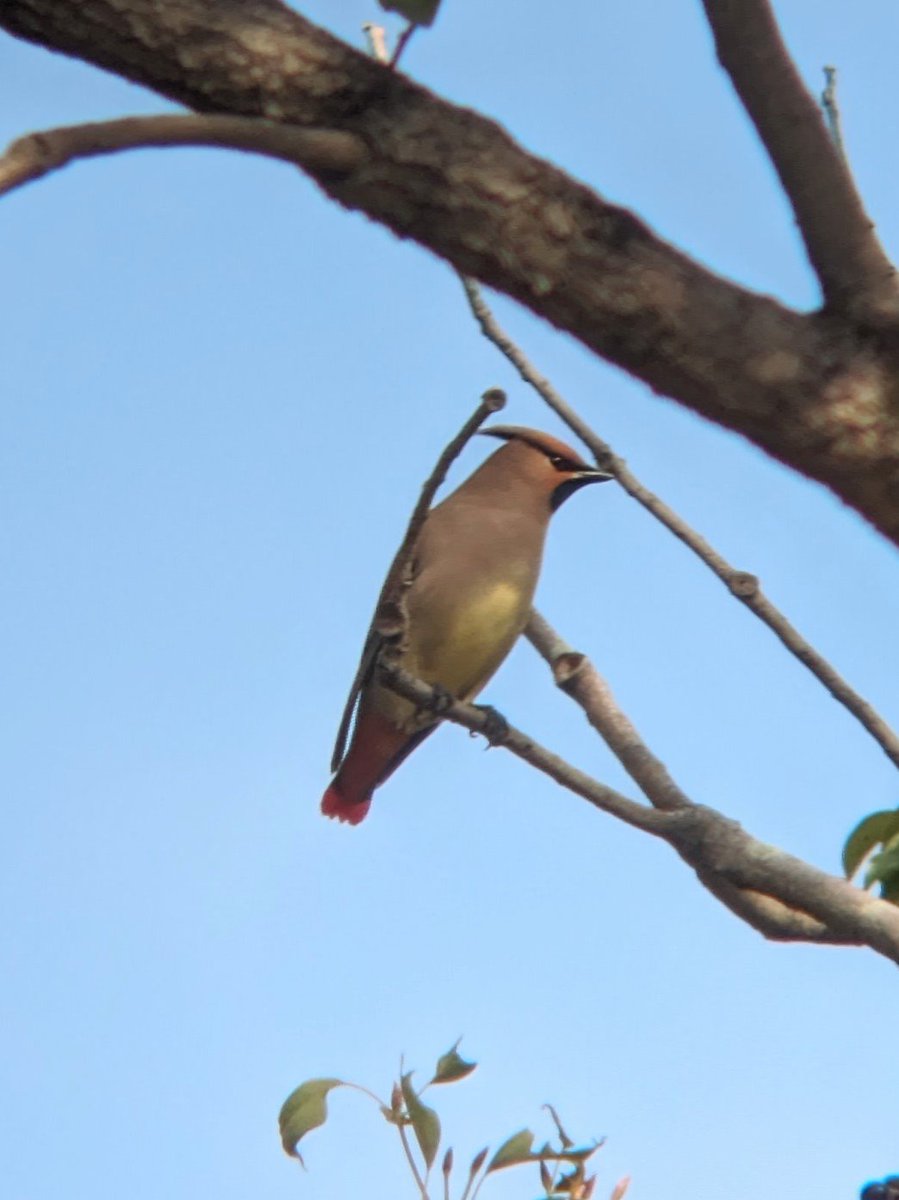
[(818, 392)]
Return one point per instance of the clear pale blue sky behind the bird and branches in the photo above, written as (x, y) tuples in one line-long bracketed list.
[(220, 397)]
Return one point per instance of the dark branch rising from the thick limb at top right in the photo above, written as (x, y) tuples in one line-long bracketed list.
[(856, 275)]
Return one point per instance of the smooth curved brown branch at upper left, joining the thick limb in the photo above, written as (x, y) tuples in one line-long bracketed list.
[(38, 154)]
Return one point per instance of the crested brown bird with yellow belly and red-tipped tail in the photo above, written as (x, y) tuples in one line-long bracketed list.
[(475, 573)]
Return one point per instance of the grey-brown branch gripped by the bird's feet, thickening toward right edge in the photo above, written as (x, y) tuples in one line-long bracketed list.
[(710, 843)]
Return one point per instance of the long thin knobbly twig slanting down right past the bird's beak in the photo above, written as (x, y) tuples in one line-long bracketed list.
[(742, 585)]
